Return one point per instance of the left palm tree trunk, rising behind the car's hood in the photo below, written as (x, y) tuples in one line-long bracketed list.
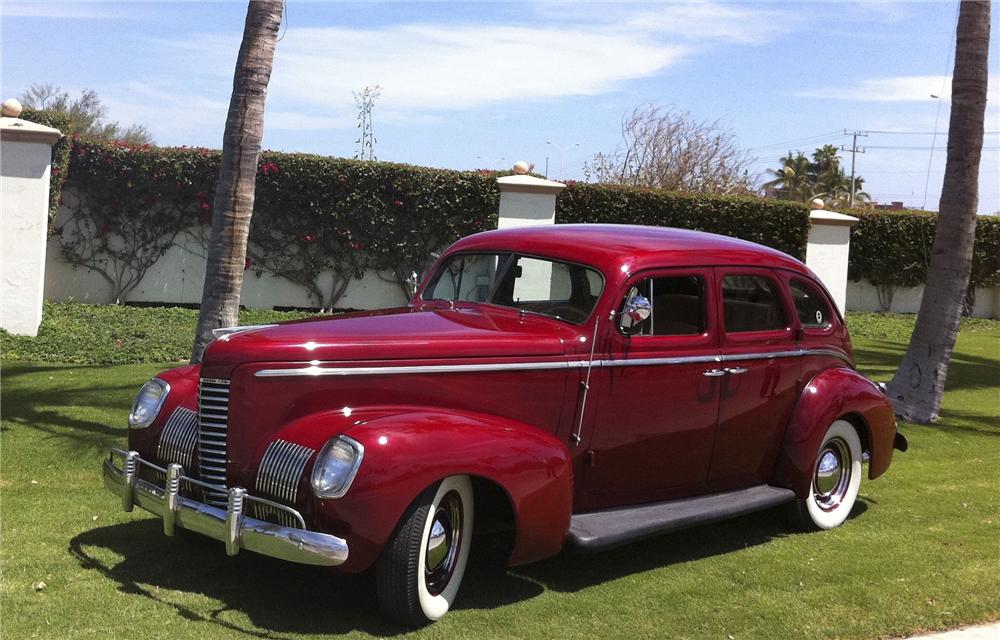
[(234, 195)]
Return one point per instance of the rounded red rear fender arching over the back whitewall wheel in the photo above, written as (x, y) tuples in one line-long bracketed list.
[(830, 395)]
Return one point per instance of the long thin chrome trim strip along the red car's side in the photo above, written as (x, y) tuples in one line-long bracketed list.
[(316, 370)]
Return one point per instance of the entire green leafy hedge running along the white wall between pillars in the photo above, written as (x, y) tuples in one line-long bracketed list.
[(317, 215)]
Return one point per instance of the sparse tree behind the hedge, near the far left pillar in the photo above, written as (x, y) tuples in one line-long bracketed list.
[(86, 114)]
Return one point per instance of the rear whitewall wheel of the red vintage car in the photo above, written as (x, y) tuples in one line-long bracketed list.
[(836, 479)]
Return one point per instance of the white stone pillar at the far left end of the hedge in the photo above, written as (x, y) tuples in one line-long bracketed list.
[(25, 164)]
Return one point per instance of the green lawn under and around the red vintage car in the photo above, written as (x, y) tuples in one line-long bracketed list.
[(922, 552)]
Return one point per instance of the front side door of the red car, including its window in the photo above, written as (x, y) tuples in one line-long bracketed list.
[(652, 411)]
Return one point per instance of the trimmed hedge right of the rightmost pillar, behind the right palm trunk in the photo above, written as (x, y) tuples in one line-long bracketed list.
[(893, 248)]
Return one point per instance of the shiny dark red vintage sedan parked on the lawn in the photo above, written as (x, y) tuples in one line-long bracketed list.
[(583, 386)]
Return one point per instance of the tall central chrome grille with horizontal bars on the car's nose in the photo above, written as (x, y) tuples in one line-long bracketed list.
[(213, 426)]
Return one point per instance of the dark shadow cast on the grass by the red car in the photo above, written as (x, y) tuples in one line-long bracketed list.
[(193, 575)]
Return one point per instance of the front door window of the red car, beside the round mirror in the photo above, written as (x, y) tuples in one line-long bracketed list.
[(678, 305)]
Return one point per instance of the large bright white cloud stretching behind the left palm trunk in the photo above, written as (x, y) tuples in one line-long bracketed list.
[(580, 50)]
